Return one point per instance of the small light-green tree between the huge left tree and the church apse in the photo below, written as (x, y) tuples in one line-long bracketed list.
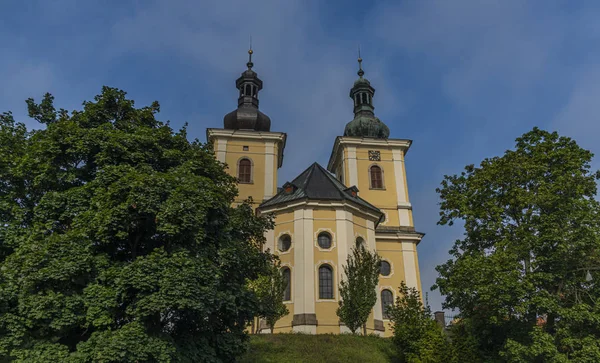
[(269, 289)]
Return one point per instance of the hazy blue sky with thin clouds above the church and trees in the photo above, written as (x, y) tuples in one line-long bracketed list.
[(461, 78)]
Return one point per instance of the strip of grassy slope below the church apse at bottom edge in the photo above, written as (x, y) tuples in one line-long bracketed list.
[(292, 348)]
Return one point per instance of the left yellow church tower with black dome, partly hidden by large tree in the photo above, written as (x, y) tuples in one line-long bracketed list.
[(246, 144)]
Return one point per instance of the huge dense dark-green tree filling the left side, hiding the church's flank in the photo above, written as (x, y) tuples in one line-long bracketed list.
[(118, 241)]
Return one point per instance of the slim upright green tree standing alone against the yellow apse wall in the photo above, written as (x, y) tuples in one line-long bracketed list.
[(358, 290)]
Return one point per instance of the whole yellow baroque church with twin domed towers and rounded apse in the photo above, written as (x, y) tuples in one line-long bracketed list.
[(360, 197)]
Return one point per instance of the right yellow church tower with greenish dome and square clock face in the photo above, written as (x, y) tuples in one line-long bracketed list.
[(367, 158)]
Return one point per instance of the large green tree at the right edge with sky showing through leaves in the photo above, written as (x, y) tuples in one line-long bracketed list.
[(526, 274)]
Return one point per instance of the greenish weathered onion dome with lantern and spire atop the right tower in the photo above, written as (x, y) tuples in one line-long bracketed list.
[(365, 124)]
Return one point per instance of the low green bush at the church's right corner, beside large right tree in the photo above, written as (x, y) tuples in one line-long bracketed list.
[(417, 335)]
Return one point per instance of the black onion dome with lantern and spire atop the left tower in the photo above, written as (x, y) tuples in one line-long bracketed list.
[(247, 116)]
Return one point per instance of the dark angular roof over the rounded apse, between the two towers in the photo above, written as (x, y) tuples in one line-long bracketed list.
[(316, 183)]
